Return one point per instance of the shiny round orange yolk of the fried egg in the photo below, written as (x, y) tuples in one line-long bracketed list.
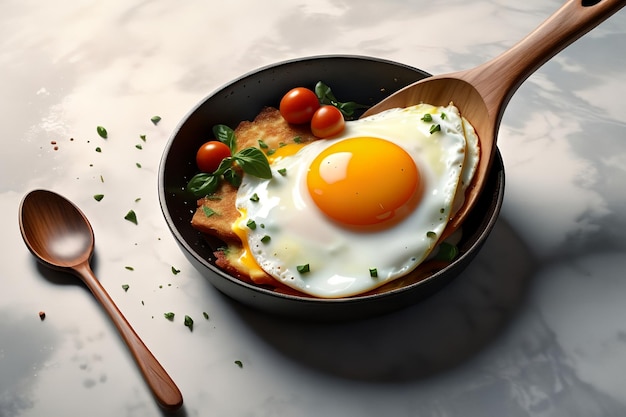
[(364, 181)]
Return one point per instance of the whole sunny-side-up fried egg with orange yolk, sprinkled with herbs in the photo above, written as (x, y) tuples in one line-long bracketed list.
[(345, 215)]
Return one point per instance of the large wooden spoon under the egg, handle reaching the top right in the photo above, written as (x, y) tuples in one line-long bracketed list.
[(482, 93)]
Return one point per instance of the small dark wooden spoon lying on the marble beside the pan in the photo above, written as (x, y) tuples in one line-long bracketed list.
[(60, 236)]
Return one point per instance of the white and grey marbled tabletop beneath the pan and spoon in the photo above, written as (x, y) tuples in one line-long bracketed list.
[(535, 327)]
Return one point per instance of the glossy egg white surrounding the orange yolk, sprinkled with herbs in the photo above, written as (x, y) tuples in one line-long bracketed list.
[(291, 231)]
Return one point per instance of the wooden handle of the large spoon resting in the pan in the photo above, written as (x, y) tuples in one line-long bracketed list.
[(499, 78)]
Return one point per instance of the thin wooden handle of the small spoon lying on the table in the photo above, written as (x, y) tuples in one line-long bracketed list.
[(162, 386)]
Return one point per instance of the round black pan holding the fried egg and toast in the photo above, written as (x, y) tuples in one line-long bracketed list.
[(352, 78)]
